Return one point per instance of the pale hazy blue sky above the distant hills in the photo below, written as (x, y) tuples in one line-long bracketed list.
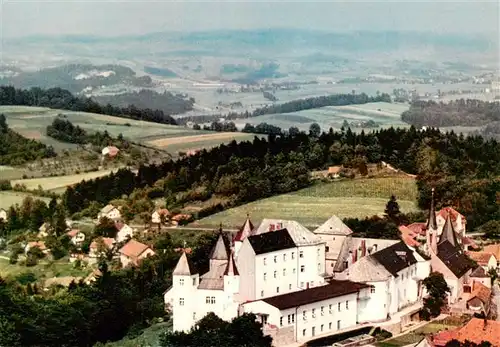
[(110, 18)]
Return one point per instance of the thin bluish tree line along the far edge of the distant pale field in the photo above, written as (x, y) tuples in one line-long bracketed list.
[(294, 106)]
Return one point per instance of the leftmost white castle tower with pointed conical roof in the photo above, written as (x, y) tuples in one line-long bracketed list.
[(182, 296)]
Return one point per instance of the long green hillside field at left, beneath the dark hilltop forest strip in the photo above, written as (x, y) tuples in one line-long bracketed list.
[(31, 122)]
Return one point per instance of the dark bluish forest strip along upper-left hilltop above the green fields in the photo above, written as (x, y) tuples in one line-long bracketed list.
[(58, 98)]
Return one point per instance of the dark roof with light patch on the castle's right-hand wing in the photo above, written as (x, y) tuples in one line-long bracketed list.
[(395, 258)]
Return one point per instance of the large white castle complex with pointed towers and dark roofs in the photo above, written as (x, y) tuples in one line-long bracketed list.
[(278, 272)]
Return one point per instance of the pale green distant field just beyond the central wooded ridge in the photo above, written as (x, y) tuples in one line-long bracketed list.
[(384, 114)]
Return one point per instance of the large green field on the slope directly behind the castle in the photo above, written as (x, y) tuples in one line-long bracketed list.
[(313, 205)]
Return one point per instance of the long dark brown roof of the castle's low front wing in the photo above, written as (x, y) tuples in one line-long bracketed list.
[(333, 289)]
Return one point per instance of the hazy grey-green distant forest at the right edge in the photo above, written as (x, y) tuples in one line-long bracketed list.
[(454, 113)]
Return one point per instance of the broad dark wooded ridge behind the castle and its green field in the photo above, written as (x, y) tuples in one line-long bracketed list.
[(463, 170)]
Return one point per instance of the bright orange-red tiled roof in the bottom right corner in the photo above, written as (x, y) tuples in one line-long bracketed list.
[(476, 330)]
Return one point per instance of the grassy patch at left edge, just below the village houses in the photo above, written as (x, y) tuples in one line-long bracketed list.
[(43, 270)]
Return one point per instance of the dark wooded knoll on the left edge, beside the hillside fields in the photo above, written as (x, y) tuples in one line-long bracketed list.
[(16, 149)]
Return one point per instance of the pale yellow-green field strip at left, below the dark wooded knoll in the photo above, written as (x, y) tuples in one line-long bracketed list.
[(56, 183)]
